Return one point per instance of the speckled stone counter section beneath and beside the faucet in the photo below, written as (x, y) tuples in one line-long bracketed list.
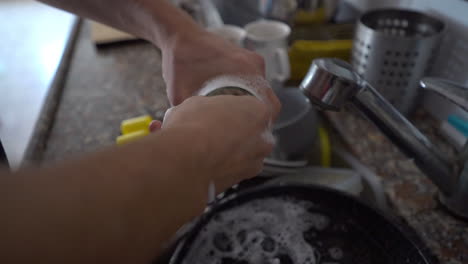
[(410, 193)]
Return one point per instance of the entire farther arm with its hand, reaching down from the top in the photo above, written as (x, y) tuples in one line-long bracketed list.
[(191, 56)]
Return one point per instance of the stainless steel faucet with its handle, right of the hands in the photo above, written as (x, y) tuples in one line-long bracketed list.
[(332, 83)]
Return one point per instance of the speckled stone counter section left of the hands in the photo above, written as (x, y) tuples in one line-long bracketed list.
[(104, 86)]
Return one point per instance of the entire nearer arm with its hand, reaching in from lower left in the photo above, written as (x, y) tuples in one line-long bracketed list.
[(121, 205)]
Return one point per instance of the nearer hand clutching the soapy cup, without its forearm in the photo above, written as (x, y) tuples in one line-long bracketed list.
[(227, 132)]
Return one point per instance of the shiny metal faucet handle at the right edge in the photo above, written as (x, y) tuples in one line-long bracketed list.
[(454, 92)]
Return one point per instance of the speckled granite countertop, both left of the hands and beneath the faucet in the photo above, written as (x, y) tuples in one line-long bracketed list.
[(107, 85)]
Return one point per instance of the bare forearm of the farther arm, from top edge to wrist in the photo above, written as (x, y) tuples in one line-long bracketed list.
[(155, 20)]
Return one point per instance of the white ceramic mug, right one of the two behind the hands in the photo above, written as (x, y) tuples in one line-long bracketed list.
[(270, 39)]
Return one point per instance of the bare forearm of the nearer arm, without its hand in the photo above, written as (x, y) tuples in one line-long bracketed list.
[(112, 207)]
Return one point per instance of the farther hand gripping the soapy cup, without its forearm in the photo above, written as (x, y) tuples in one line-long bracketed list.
[(191, 59)]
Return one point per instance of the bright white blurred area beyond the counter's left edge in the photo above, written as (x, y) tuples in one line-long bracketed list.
[(34, 38)]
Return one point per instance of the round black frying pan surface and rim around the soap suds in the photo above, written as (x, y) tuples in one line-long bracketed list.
[(369, 236)]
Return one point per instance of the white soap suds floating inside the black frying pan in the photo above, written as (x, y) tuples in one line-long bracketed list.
[(269, 230)]
